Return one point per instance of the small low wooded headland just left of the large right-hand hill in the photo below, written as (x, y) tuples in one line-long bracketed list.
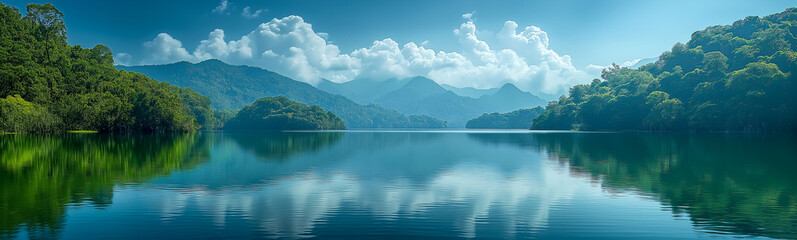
[(518, 119)]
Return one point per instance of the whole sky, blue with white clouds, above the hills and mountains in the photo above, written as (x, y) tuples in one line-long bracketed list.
[(577, 35)]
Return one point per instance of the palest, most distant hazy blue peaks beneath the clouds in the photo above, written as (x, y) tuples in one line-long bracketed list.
[(423, 96)]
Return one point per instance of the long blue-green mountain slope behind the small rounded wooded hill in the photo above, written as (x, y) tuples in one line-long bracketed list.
[(233, 87)]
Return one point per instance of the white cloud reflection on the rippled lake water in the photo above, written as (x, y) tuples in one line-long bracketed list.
[(456, 201)]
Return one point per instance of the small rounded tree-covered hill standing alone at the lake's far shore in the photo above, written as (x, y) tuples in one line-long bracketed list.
[(280, 113)]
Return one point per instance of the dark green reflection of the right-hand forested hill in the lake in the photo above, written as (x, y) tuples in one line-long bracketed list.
[(727, 183)]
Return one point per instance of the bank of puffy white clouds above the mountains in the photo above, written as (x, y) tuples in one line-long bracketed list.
[(290, 46)]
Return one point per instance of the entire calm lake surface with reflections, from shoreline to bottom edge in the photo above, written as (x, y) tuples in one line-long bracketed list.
[(398, 184)]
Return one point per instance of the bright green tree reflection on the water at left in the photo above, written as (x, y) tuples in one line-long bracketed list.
[(40, 175)]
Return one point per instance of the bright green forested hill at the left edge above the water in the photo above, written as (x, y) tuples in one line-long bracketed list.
[(48, 86)]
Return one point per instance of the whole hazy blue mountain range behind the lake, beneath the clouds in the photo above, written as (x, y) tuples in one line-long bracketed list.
[(416, 102)]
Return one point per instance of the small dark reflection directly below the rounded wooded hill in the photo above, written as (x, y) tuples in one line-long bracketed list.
[(281, 145)]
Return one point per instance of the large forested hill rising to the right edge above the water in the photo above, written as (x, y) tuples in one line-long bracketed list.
[(738, 77)]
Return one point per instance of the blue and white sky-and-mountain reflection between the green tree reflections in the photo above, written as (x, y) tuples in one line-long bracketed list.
[(443, 182)]
